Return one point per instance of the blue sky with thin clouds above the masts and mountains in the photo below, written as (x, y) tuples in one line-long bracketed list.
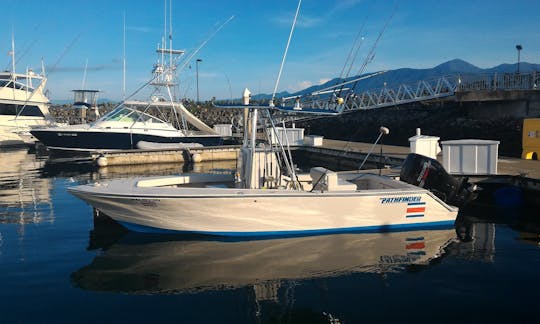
[(248, 50)]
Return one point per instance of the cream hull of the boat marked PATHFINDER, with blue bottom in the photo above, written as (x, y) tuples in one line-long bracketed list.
[(230, 212)]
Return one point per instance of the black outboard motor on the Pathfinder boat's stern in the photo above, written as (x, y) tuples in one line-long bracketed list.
[(425, 172)]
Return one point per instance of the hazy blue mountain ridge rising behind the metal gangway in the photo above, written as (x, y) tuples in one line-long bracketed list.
[(408, 76)]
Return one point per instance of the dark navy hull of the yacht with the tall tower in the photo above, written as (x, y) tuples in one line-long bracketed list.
[(88, 140)]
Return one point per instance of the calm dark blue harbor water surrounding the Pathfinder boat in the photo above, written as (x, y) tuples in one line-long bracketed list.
[(59, 265)]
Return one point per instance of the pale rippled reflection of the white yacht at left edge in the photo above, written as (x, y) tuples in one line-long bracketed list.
[(24, 194)]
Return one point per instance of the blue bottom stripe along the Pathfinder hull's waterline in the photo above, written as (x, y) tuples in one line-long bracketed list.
[(363, 229)]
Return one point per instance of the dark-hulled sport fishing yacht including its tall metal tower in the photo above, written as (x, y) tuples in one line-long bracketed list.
[(158, 118)]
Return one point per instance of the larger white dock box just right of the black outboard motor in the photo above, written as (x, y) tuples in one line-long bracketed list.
[(470, 156)]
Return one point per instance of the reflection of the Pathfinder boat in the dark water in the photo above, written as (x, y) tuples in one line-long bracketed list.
[(141, 264)]
